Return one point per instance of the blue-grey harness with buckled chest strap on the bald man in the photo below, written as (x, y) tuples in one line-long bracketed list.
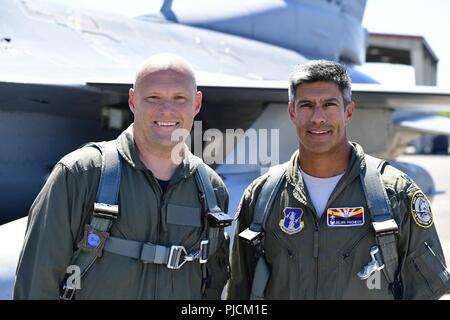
[(96, 237)]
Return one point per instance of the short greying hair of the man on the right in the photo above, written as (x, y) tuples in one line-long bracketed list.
[(321, 70)]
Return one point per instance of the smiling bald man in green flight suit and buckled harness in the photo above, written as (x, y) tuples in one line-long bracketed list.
[(155, 239)]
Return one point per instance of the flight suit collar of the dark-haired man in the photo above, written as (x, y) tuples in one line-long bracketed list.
[(294, 177)]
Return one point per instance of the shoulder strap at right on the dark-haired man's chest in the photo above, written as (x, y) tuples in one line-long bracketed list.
[(382, 219)]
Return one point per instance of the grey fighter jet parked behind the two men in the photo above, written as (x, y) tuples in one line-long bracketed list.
[(65, 75)]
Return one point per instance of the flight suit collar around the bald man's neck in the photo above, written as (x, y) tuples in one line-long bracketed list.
[(129, 152)]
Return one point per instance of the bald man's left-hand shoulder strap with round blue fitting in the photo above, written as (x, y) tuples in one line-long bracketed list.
[(105, 211)]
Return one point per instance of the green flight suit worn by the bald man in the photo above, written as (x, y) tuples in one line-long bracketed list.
[(65, 204)]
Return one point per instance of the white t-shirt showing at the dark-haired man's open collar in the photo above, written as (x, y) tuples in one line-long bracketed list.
[(320, 190)]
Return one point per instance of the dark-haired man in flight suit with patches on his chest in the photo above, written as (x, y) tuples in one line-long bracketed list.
[(334, 223)]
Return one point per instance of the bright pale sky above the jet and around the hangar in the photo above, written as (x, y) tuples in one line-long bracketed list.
[(427, 18)]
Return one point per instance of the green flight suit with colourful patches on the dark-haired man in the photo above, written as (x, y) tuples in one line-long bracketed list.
[(321, 260)]
